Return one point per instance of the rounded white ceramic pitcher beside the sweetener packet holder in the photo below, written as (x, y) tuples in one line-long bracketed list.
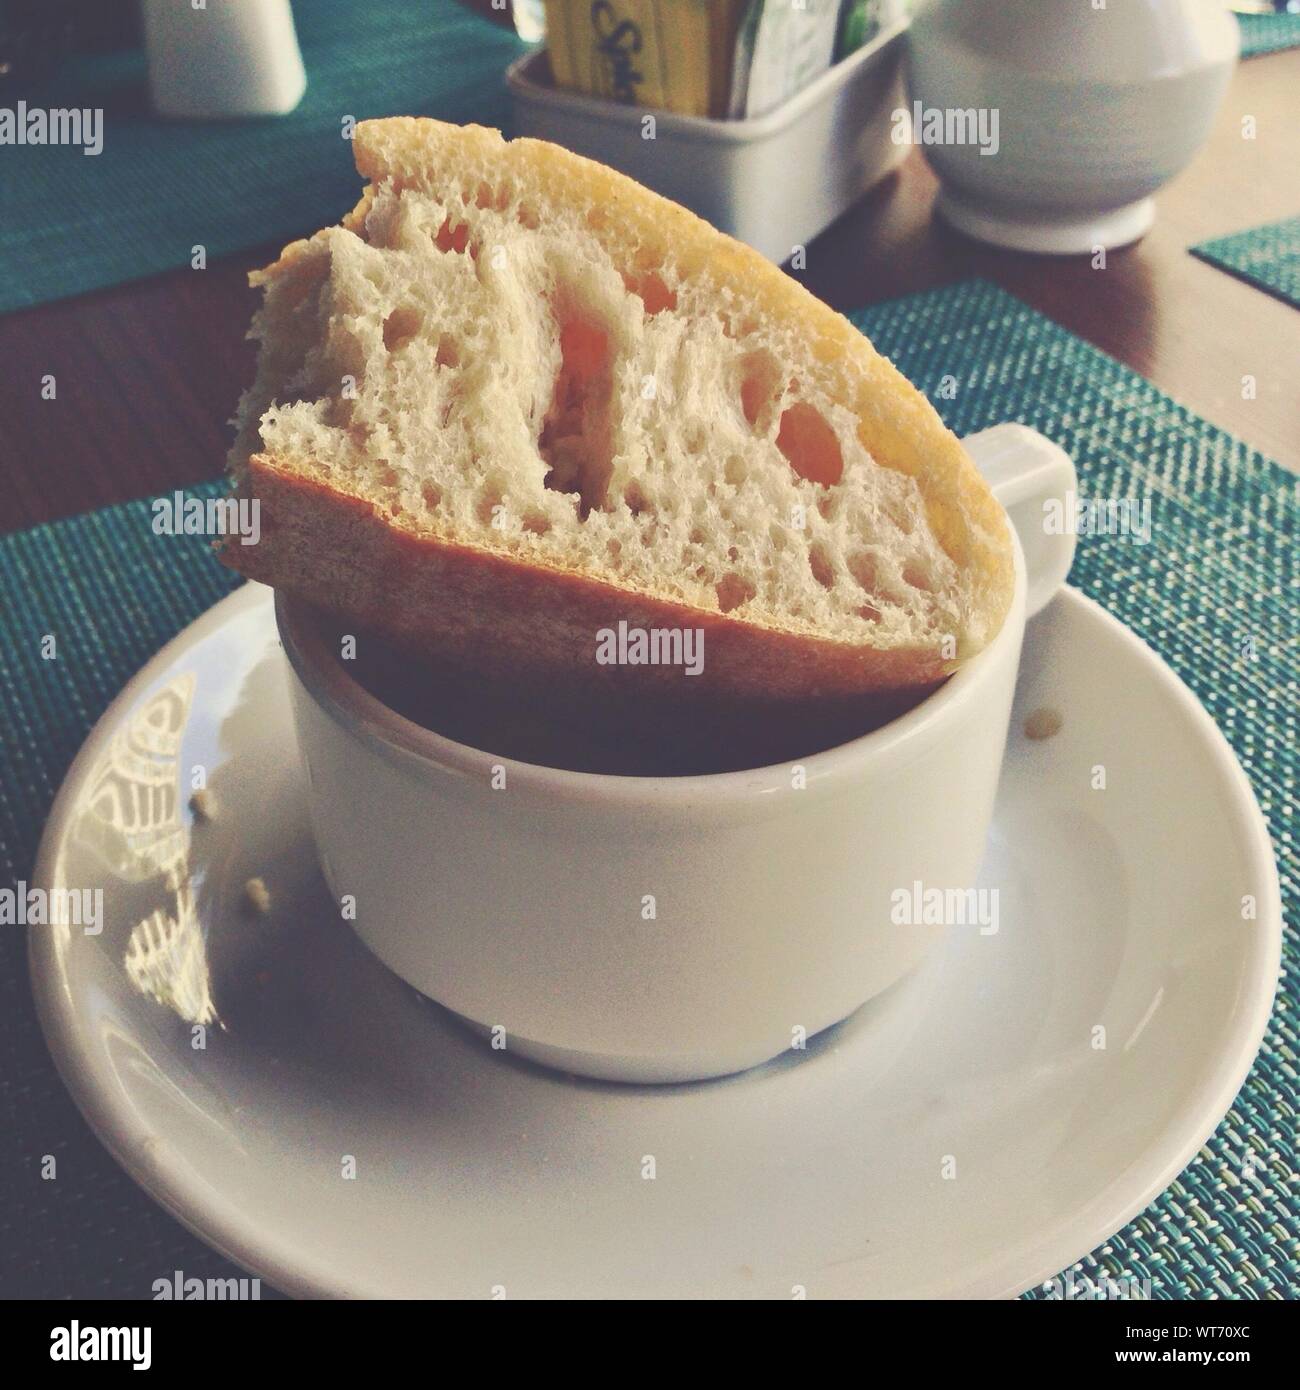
[(1082, 111)]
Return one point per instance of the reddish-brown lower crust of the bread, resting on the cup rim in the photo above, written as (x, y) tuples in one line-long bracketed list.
[(501, 616)]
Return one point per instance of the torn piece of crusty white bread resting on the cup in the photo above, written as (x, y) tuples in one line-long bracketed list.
[(517, 398)]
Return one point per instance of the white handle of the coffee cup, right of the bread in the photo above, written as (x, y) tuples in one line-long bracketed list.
[(1025, 471)]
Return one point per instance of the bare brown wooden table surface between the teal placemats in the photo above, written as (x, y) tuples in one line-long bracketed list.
[(149, 373)]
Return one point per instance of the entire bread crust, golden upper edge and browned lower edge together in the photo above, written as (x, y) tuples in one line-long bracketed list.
[(504, 614)]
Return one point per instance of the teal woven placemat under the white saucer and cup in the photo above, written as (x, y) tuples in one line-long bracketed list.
[(1221, 562)]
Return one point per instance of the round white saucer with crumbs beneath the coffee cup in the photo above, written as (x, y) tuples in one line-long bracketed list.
[(822, 1171)]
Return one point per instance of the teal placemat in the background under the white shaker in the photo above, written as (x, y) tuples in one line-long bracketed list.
[(161, 188)]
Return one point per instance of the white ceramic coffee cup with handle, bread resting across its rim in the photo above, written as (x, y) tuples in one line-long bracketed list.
[(665, 929)]
